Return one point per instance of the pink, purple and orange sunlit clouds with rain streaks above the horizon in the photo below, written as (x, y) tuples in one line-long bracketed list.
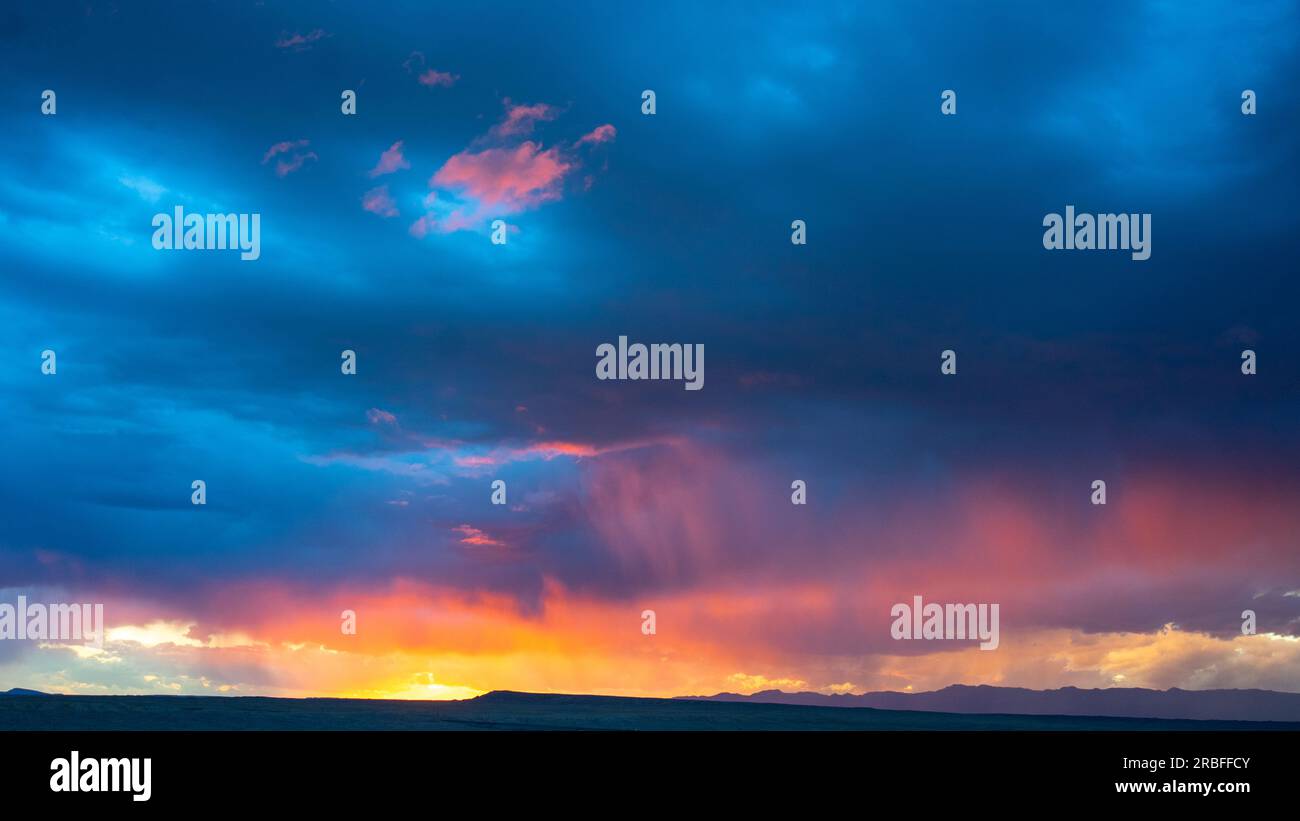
[(751, 590)]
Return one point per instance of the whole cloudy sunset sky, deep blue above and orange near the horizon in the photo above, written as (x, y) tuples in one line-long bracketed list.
[(476, 362)]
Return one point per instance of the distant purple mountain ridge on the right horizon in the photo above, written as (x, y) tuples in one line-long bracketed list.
[(1113, 702)]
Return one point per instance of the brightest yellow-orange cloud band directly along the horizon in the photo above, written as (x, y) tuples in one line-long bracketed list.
[(421, 641)]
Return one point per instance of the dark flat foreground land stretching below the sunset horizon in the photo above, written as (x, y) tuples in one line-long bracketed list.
[(521, 711)]
